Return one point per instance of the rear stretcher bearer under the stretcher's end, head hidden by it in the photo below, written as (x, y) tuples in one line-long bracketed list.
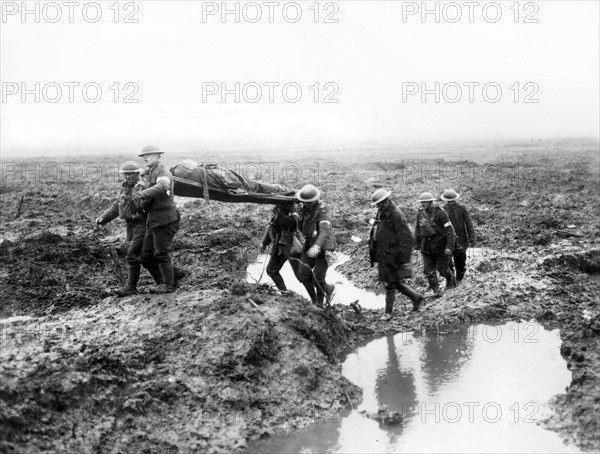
[(279, 235)]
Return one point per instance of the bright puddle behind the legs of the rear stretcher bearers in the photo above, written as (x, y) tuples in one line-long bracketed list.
[(345, 291)]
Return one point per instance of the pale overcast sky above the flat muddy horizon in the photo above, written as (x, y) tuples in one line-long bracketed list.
[(374, 58)]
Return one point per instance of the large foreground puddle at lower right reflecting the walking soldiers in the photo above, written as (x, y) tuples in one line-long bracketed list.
[(481, 388)]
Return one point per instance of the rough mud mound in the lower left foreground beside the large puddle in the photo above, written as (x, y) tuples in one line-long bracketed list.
[(199, 373)]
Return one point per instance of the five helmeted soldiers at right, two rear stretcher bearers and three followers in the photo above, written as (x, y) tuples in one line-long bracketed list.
[(442, 235)]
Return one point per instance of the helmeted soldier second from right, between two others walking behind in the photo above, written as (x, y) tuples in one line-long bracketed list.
[(435, 238)]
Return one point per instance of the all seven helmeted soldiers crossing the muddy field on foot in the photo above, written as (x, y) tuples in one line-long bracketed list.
[(299, 234)]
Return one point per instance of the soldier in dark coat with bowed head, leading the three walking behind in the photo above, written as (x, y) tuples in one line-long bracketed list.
[(391, 244)]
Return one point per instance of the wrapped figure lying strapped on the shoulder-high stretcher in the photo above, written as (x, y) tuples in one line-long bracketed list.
[(193, 180)]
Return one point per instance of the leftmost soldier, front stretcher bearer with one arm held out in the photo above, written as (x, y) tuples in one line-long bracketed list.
[(123, 208)]
